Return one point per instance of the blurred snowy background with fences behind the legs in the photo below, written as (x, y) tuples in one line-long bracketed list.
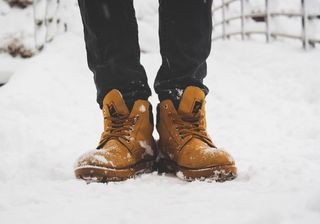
[(27, 26)]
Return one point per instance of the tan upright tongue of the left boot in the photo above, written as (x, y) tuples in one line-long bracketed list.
[(114, 104)]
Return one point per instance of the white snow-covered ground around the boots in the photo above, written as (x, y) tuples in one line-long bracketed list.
[(264, 108)]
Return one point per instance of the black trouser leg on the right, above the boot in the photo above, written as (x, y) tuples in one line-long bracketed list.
[(185, 28)]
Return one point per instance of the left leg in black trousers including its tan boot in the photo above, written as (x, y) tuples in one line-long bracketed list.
[(111, 38)]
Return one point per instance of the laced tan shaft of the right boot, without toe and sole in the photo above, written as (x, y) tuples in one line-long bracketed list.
[(190, 115)]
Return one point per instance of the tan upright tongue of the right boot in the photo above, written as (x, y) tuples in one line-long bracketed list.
[(191, 100)]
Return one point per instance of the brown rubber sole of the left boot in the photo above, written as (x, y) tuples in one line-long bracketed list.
[(103, 174)]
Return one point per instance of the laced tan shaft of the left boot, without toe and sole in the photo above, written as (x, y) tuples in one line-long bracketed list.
[(132, 128)]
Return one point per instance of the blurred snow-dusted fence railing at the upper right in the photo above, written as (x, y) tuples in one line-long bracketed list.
[(266, 16)]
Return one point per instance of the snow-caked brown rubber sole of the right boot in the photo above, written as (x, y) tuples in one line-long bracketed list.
[(214, 173)]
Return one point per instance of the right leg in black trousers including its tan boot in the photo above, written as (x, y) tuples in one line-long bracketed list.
[(184, 144)]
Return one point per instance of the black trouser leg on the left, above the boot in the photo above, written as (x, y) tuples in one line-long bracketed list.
[(113, 53)]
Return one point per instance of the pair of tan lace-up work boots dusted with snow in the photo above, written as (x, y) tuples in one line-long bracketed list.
[(127, 147)]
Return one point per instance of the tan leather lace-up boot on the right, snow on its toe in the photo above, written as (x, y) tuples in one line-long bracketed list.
[(184, 146)]
